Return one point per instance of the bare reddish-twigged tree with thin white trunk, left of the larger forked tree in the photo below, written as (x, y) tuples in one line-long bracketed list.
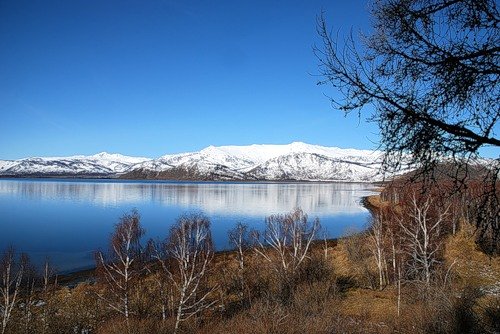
[(122, 267)]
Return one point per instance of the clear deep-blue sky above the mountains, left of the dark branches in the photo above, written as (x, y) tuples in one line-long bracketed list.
[(148, 78)]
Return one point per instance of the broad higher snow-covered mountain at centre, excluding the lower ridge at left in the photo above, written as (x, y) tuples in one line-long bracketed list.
[(296, 161)]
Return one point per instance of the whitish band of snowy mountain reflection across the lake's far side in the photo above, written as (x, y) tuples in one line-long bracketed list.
[(249, 199)]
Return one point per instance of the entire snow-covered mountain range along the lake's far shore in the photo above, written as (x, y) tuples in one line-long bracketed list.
[(295, 161)]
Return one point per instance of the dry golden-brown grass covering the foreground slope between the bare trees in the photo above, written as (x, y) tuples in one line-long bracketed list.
[(329, 295)]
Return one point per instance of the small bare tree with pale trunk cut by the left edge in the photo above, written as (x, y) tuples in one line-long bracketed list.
[(12, 272)]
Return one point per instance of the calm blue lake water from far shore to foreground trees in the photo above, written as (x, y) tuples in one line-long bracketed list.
[(67, 220)]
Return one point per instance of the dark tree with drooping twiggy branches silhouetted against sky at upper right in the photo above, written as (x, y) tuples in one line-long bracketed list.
[(431, 71)]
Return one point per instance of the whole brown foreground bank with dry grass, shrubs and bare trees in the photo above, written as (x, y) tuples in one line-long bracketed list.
[(418, 269)]
